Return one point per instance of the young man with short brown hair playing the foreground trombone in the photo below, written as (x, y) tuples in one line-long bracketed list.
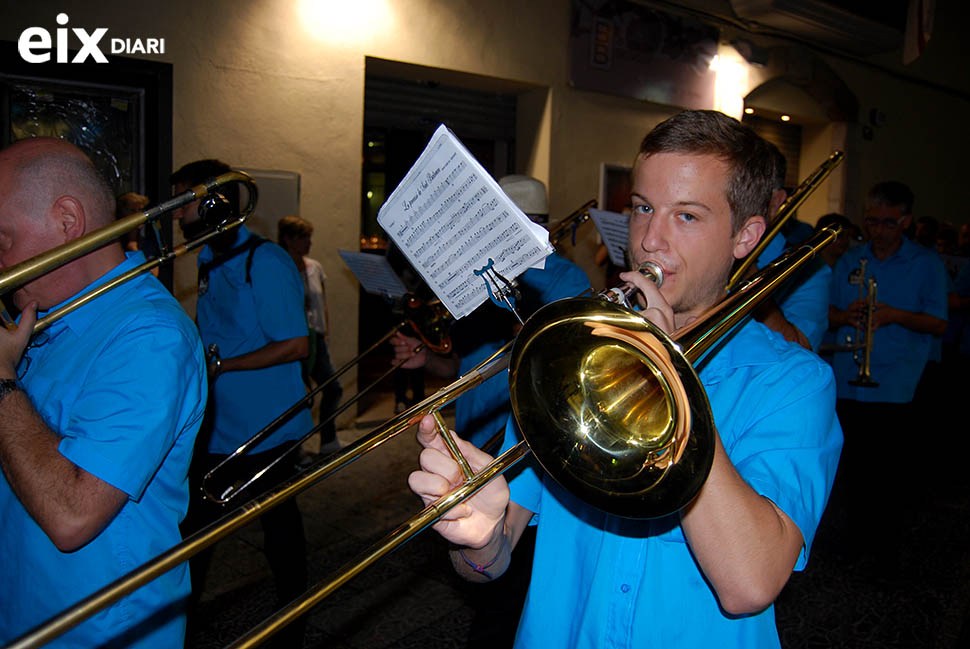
[(708, 573)]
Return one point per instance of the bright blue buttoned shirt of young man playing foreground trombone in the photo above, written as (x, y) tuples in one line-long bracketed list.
[(604, 581)]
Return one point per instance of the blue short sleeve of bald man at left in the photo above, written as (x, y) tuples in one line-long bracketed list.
[(146, 388)]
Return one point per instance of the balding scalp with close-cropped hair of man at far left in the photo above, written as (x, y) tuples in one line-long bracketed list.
[(44, 169)]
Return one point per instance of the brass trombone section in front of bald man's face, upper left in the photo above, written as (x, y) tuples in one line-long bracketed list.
[(212, 211)]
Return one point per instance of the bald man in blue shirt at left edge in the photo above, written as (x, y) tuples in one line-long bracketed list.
[(98, 416)]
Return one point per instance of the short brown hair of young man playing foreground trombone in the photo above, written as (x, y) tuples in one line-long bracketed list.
[(708, 132)]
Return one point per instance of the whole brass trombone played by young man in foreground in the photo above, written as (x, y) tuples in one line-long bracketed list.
[(618, 439)]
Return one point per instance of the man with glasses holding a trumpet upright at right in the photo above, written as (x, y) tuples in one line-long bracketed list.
[(910, 308)]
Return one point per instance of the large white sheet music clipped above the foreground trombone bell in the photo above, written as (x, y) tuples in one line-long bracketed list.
[(449, 217)]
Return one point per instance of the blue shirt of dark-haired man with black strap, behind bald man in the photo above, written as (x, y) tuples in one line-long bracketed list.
[(242, 316)]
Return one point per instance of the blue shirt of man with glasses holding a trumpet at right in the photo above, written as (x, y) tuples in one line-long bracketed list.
[(912, 279)]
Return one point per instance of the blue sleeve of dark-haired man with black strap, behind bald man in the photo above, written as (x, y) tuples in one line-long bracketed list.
[(278, 294)]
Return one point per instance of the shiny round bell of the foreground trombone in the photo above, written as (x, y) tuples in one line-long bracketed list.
[(624, 426)]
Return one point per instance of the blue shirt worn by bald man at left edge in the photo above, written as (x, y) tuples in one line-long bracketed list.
[(122, 381)]
